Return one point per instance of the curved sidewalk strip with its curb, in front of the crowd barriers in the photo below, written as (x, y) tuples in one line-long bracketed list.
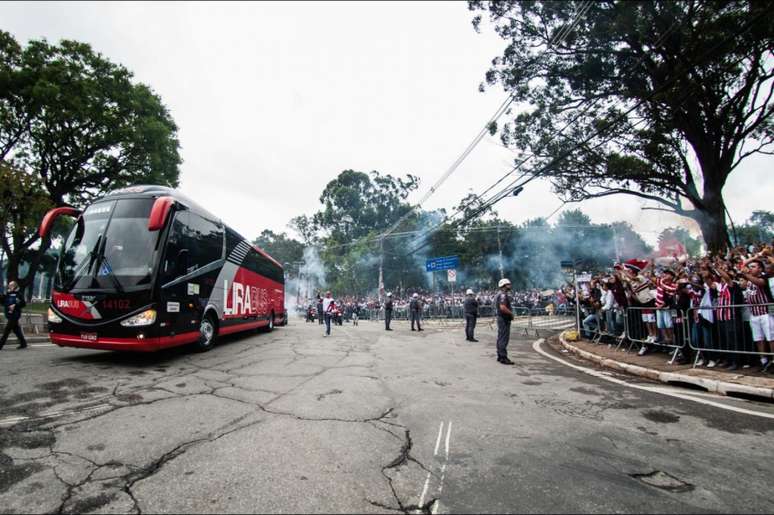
[(655, 366)]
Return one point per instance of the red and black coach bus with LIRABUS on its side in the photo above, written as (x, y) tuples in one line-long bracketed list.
[(145, 268)]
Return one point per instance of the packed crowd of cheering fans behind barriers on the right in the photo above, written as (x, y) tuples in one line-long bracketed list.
[(721, 303)]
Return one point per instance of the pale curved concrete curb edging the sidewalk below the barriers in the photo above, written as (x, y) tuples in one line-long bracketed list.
[(711, 385)]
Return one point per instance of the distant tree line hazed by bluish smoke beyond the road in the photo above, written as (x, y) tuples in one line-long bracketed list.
[(529, 254)]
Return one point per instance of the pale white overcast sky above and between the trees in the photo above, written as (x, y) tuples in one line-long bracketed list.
[(273, 100)]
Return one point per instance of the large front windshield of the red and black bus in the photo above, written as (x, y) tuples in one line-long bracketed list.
[(109, 248)]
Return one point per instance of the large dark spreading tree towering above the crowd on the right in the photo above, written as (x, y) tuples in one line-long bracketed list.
[(624, 100)]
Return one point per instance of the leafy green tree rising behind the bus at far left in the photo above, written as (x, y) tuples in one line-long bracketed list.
[(77, 125)]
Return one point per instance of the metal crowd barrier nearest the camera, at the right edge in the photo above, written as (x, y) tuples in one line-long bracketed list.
[(730, 329)]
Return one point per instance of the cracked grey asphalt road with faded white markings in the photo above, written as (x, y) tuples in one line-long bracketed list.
[(365, 421)]
